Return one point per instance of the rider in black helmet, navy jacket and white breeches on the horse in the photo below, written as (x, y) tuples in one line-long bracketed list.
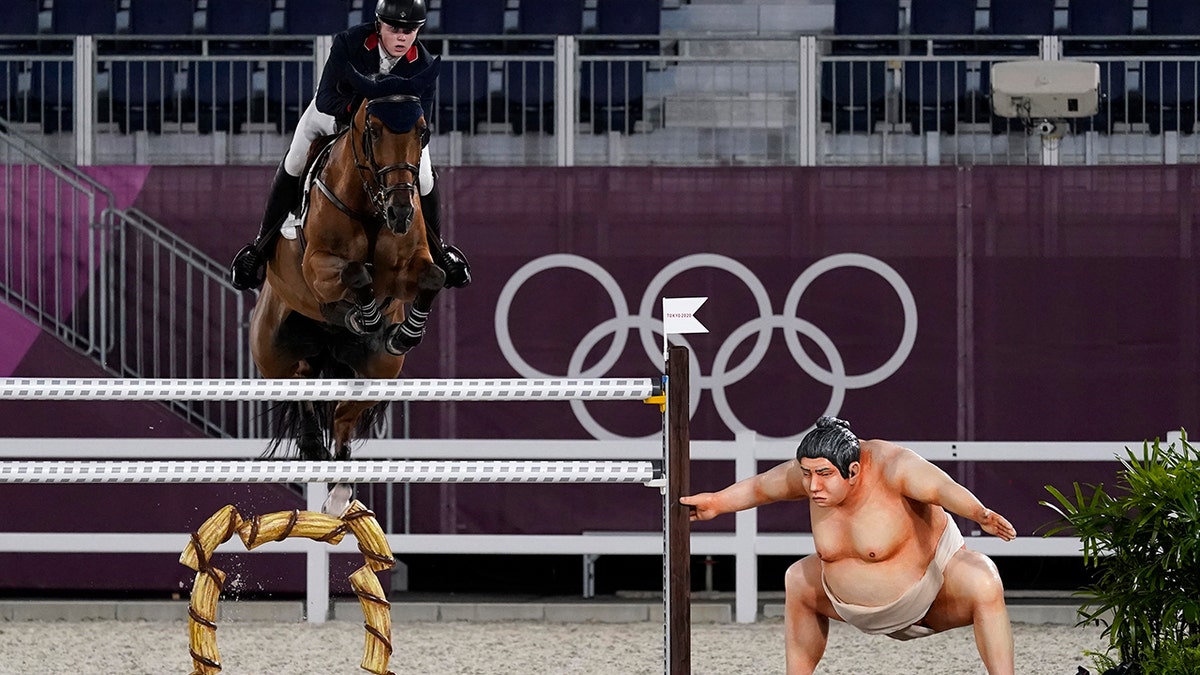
[(387, 46)]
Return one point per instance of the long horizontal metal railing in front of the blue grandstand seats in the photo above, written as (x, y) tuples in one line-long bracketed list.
[(687, 100)]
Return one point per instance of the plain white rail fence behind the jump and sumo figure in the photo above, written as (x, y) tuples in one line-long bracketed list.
[(746, 543)]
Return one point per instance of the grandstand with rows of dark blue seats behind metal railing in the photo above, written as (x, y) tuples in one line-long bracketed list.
[(614, 82)]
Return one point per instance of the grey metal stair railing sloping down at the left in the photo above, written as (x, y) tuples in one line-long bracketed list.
[(116, 285)]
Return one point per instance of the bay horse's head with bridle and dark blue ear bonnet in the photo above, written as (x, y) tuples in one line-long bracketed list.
[(392, 133)]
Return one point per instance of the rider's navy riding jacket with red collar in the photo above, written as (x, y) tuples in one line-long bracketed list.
[(359, 47)]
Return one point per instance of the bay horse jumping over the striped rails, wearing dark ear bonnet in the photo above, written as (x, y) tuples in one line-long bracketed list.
[(334, 303)]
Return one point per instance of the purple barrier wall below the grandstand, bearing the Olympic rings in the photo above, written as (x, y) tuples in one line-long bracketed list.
[(975, 304)]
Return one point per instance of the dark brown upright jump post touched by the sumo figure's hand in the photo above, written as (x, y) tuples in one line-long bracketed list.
[(677, 595)]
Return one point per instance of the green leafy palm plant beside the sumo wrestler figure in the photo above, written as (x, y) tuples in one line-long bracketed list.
[(1143, 540)]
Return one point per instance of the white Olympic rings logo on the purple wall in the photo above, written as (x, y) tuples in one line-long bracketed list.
[(722, 375)]
